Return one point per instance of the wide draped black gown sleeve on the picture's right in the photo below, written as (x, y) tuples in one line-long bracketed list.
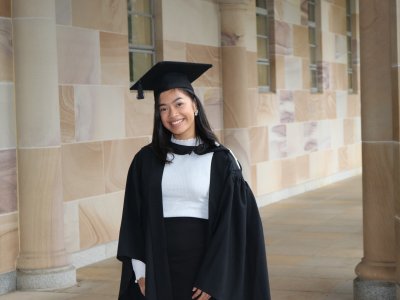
[(234, 266)]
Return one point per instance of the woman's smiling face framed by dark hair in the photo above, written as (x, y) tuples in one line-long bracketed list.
[(177, 113)]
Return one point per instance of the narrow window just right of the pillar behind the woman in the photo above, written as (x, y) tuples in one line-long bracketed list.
[(264, 20)]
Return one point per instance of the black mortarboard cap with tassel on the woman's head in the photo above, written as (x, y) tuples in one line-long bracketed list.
[(167, 75)]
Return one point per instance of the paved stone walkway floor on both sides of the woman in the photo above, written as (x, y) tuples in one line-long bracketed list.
[(314, 242)]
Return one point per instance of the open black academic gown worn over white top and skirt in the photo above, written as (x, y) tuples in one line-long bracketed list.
[(234, 266)]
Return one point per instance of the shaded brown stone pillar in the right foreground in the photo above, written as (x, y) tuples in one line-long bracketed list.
[(380, 137)]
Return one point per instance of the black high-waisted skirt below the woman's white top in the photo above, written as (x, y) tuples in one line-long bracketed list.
[(186, 242)]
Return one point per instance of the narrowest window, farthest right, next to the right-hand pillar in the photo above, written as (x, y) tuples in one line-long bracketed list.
[(350, 74)]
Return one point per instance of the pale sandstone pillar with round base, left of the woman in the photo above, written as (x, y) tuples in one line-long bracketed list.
[(43, 262)]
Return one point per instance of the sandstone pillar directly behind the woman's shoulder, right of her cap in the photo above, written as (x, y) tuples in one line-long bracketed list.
[(237, 41)]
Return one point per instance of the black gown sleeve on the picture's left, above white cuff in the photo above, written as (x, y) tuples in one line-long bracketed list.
[(131, 235)]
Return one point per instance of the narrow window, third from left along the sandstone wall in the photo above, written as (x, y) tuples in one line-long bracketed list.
[(314, 45)]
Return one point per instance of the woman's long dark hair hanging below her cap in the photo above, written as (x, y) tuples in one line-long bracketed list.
[(162, 136)]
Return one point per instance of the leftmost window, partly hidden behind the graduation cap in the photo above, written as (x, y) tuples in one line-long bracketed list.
[(141, 37)]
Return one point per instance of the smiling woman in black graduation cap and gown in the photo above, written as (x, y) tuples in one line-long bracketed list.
[(190, 227)]
